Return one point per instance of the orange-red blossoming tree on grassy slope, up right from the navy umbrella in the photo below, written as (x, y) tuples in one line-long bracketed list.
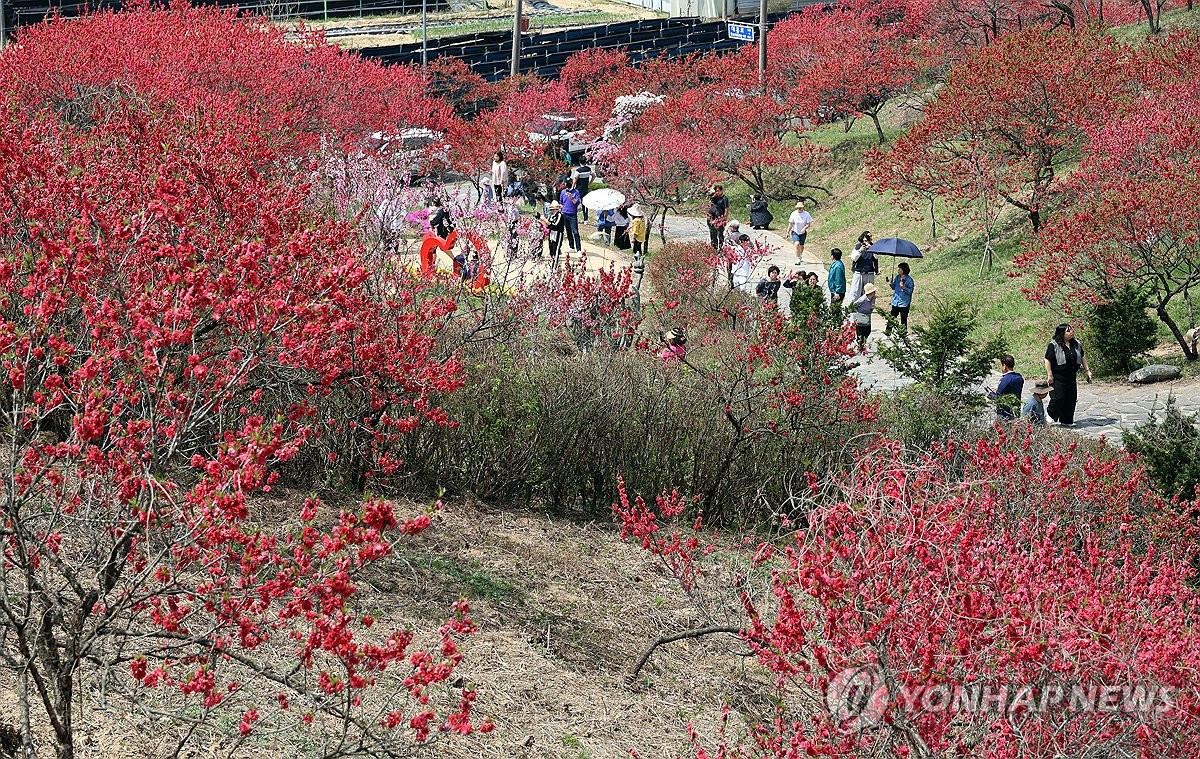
[(1010, 118)]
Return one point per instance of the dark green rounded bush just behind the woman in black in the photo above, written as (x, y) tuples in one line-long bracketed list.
[(1121, 331)]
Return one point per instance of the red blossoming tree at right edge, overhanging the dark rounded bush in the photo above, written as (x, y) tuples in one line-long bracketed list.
[(1130, 216)]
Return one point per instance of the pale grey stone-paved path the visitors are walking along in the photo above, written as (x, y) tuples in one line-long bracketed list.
[(1105, 408)]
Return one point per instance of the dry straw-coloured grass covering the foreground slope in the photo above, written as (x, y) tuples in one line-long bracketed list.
[(565, 609)]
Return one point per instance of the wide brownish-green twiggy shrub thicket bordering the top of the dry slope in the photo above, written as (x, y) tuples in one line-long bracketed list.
[(548, 426)]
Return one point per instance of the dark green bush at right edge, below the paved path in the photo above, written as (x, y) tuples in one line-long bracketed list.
[(1171, 449)]
